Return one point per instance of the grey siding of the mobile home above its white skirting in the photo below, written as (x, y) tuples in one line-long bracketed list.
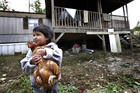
[(12, 30)]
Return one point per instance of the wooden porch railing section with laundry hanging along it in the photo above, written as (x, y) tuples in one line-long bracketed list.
[(83, 21)]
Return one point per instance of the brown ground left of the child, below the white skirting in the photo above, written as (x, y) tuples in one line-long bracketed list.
[(9, 65)]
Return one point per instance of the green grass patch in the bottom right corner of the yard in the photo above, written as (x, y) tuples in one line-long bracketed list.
[(123, 82)]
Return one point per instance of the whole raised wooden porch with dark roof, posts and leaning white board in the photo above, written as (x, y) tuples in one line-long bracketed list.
[(85, 20)]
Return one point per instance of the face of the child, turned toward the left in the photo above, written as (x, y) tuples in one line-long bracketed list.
[(39, 38)]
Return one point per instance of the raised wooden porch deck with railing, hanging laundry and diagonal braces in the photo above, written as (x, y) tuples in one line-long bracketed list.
[(84, 22)]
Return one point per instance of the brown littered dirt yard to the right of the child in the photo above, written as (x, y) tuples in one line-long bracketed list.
[(100, 68)]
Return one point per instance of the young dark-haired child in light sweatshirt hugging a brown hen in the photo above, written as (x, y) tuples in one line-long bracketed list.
[(42, 35)]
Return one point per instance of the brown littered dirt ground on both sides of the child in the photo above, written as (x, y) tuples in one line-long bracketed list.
[(82, 70)]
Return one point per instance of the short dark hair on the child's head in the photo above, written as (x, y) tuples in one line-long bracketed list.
[(46, 30)]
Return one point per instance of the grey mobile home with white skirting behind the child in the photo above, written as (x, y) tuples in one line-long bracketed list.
[(16, 30)]
